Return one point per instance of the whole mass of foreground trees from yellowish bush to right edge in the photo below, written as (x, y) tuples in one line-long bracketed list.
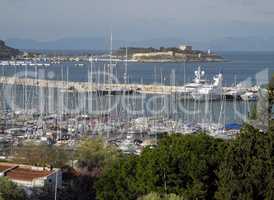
[(180, 167)]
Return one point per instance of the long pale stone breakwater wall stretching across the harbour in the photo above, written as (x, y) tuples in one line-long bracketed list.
[(106, 87)]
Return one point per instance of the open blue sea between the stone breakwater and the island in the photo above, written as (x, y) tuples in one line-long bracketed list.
[(236, 67)]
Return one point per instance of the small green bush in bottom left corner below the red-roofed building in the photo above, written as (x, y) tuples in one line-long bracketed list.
[(10, 191)]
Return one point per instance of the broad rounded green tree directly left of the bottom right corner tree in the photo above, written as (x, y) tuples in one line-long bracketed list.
[(182, 165)]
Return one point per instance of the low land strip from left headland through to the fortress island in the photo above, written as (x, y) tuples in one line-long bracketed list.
[(183, 53)]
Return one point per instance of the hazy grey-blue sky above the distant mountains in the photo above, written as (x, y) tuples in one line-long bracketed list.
[(136, 19)]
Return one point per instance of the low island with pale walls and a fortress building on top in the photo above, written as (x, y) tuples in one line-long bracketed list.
[(183, 53)]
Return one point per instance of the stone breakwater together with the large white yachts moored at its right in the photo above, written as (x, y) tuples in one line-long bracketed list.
[(197, 90)]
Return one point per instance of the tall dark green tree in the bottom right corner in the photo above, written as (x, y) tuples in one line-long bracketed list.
[(247, 170)]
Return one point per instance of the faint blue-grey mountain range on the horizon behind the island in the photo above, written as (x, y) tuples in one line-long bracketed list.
[(222, 44)]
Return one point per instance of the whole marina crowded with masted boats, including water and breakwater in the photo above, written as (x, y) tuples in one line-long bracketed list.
[(128, 115)]
